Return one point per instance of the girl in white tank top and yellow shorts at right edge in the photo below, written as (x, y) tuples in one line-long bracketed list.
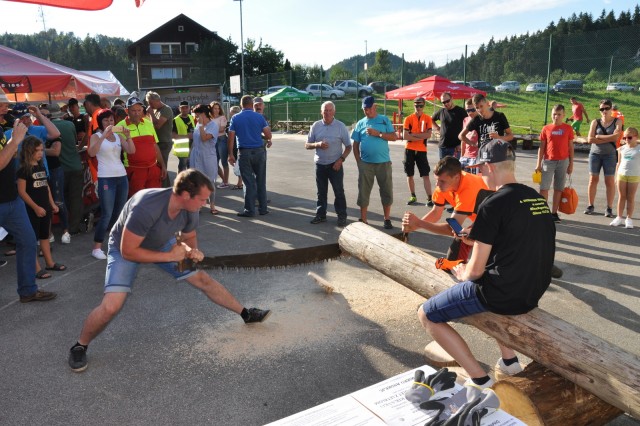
[(627, 176)]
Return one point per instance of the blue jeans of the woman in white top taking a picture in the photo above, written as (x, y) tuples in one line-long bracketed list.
[(113, 195)]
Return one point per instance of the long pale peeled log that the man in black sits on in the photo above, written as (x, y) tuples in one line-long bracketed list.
[(586, 360)]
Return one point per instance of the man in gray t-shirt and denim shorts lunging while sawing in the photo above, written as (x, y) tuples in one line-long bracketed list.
[(146, 233)]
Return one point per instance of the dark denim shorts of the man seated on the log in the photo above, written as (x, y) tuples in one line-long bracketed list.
[(456, 302)]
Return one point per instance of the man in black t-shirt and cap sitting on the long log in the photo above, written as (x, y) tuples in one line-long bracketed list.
[(513, 241)]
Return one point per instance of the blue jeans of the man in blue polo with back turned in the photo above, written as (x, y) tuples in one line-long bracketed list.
[(253, 169)]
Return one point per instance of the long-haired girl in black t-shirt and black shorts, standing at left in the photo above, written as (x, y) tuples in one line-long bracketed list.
[(33, 188)]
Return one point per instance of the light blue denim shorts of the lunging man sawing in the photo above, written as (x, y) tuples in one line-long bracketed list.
[(121, 272)]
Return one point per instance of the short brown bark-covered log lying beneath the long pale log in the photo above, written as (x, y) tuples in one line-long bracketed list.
[(538, 396)]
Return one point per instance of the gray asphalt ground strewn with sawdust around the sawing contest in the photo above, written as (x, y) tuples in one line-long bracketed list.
[(172, 357)]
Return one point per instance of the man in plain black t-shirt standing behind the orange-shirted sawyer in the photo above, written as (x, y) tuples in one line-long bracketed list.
[(450, 117)]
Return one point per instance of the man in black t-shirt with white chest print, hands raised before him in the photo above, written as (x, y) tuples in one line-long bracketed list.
[(489, 124)]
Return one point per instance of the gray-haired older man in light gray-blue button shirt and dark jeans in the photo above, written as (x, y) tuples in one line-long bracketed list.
[(328, 137)]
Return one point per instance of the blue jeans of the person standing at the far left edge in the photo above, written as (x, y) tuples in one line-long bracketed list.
[(13, 218)]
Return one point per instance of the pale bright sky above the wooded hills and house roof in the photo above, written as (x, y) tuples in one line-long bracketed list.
[(323, 33)]
